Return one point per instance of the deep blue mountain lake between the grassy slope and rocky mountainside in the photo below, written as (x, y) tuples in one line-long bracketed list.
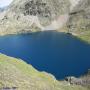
[(57, 53)]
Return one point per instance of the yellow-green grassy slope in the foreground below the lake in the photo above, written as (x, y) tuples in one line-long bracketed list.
[(24, 77)]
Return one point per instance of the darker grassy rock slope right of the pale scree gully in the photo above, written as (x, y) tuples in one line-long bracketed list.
[(79, 20)]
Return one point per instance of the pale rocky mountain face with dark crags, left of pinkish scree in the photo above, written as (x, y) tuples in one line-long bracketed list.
[(23, 15)]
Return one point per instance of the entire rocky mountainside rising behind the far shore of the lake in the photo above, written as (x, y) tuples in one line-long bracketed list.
[(25, 16)]
